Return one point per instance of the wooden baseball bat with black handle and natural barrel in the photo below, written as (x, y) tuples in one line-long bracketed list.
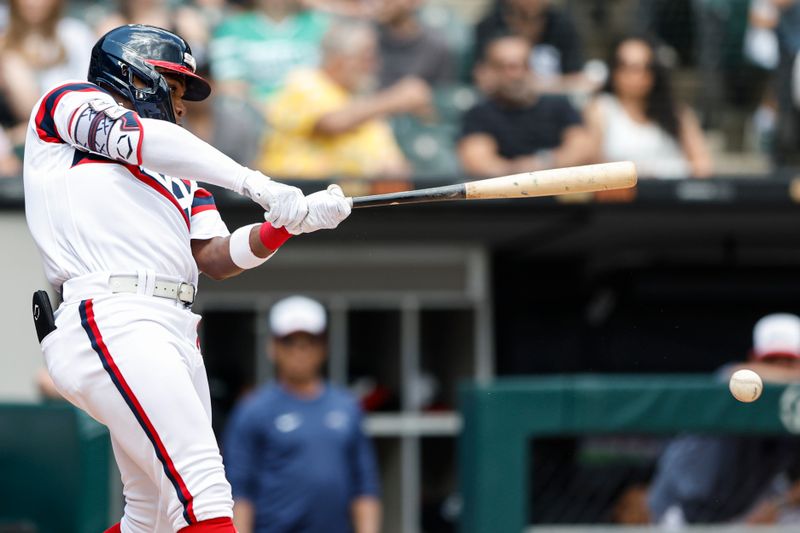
[(568, 180)]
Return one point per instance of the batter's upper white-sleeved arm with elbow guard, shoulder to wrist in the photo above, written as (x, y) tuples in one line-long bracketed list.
[(89, 119)]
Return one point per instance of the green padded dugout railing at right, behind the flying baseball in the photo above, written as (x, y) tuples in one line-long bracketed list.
[(501, 417)]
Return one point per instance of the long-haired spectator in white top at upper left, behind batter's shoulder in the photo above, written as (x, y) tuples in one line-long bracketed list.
[(39, 48)]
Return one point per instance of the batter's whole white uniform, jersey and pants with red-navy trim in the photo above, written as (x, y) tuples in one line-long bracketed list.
[(131, 361)]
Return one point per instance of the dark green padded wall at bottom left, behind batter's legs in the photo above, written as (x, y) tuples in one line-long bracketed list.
[(55, 468)]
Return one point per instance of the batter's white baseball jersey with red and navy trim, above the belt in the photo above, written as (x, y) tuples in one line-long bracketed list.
[(91, 207)]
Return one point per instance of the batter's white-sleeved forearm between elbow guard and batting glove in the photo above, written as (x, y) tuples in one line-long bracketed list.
[(169, 149)]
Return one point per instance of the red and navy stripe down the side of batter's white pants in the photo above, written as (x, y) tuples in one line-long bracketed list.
[(86, 310)]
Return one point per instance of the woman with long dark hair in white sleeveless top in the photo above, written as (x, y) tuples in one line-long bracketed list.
[(635, 117)]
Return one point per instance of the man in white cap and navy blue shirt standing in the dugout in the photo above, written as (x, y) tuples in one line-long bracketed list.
[(295, 454)]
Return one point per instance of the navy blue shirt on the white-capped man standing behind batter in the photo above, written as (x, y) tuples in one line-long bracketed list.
[(300, 461)]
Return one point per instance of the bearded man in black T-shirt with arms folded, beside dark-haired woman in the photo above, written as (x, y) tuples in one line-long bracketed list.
[(516, 129)]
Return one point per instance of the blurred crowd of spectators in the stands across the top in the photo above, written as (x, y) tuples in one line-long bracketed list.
[(326, 89)]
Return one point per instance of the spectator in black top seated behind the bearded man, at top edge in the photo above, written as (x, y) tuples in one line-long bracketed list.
[(555, 53)]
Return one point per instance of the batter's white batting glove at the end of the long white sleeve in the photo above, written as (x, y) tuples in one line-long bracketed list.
[(284, 205)]
